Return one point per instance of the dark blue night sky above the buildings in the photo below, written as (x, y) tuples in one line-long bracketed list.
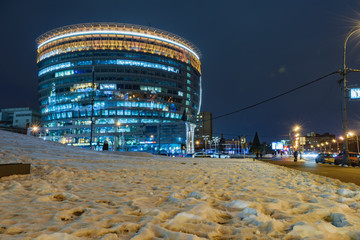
[(251, 51)]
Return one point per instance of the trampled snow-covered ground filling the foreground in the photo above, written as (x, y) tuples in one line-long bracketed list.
[(74, 193)]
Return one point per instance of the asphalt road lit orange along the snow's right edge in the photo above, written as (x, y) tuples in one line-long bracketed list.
[(344, 174)]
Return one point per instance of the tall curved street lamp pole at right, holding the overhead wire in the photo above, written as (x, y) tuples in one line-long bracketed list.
[(344, 110)]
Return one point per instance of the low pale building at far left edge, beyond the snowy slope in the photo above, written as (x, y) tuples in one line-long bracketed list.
[(19, 117)]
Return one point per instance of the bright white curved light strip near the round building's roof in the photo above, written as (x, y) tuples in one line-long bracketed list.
[(120, 33)]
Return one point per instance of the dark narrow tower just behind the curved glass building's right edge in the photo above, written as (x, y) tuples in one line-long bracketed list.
[(203, 129)]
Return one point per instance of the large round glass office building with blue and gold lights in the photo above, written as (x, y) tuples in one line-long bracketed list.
[(136, 87)]
